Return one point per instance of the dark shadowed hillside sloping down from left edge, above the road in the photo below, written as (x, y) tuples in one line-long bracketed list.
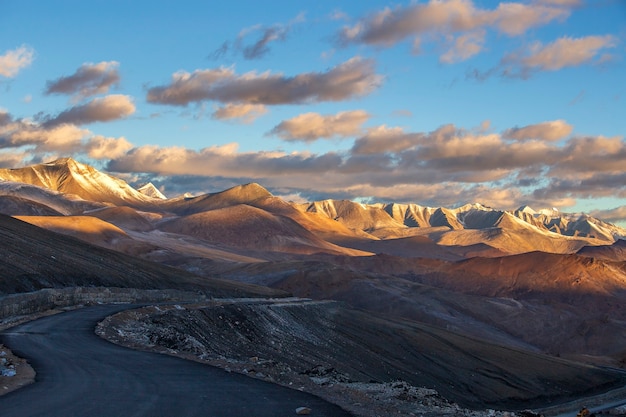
[(35, 258)]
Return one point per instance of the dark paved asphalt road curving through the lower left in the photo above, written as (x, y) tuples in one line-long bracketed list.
[(80, 374)]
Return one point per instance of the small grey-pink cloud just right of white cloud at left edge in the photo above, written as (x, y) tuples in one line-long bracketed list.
[(88, 80)]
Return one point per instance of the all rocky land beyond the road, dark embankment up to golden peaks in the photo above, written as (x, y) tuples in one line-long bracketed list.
[(530, 300)]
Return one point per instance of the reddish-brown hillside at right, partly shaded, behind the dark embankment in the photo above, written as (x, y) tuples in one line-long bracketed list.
[(563, 305)]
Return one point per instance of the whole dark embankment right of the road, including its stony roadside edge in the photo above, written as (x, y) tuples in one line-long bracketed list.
[(369, 365)]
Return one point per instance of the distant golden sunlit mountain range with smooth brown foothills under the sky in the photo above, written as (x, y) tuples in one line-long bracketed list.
[(67, 187)]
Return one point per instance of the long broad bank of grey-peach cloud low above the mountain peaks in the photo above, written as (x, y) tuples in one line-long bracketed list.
[(541, 164)]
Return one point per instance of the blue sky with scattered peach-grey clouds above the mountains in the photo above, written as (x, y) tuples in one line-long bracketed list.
[(431, 102)]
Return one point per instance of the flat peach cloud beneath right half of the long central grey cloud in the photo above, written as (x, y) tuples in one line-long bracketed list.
[(309, 127)]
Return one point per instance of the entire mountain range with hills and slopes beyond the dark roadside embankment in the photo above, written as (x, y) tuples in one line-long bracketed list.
[(541, 282)]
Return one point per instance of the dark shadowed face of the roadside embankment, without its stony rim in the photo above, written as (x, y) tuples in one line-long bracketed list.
[(306, 336)]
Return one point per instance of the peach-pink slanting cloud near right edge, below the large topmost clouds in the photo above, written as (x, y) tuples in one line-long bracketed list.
[(563, 52)]
